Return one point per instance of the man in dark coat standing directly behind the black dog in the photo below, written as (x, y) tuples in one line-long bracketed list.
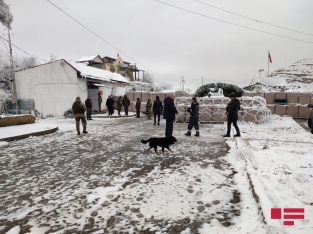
[(169, 114)]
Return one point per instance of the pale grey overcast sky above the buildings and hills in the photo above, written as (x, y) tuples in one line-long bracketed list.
[(169, 41)]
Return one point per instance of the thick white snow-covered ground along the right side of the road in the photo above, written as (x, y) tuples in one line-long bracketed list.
[(277, 159)]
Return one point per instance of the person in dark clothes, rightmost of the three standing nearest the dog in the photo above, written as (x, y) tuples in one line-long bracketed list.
[(232, 115)]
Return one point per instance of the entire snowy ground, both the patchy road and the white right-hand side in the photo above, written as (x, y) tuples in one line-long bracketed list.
[(105, 181)]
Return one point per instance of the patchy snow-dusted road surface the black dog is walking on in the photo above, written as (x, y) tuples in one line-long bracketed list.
[(105, 181)]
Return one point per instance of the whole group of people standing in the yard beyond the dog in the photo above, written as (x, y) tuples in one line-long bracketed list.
[(169, 112)]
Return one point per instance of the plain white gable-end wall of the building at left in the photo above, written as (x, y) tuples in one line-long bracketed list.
[(52, 86)]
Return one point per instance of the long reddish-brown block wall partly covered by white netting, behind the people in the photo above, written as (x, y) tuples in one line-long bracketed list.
[(214, 108)]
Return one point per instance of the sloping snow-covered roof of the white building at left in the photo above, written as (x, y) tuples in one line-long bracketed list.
[(96, 73)]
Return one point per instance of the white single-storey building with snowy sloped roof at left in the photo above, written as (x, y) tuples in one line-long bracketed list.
[(54, 86)]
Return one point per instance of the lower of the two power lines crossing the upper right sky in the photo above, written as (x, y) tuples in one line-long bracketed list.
[(238, 25)]
